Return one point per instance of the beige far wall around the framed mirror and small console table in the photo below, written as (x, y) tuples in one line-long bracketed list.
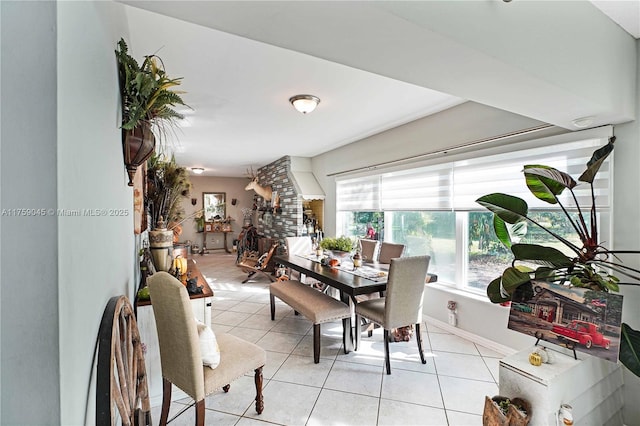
[(234, 188)]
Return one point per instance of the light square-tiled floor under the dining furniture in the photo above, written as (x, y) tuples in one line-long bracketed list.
[(350, 389)]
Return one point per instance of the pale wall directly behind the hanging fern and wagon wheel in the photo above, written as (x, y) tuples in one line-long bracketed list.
[(96, 254)]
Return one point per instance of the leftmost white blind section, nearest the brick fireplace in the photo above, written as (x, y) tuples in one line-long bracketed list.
[(358, 194)]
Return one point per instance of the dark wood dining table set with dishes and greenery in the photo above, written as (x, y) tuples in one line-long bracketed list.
[(350, 282)]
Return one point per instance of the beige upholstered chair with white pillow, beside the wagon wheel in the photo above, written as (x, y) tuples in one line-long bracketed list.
[(180, 355)]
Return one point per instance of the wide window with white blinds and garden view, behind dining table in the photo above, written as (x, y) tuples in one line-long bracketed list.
[(432, 209)]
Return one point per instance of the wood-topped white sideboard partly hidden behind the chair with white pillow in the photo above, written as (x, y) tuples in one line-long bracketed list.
[(201, 304)]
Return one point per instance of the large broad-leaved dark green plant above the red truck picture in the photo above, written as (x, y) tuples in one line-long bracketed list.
[(590, 263)]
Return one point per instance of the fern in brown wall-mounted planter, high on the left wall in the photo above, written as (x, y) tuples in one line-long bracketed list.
[(148, 103)]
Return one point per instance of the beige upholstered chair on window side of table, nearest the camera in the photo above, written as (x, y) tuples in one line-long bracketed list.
[(402, 304)]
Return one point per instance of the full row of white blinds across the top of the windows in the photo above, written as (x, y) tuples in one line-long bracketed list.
[(456, 185)]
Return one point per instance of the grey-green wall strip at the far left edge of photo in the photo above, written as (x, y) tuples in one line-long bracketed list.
[(29, 312)]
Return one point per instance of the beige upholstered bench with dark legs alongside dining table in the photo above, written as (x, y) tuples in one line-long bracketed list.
[(312, 304)]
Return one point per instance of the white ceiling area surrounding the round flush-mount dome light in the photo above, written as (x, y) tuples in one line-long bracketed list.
[(239, 87)]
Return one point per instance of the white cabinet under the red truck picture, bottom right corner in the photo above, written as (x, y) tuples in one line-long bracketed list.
[(592, 386)]
